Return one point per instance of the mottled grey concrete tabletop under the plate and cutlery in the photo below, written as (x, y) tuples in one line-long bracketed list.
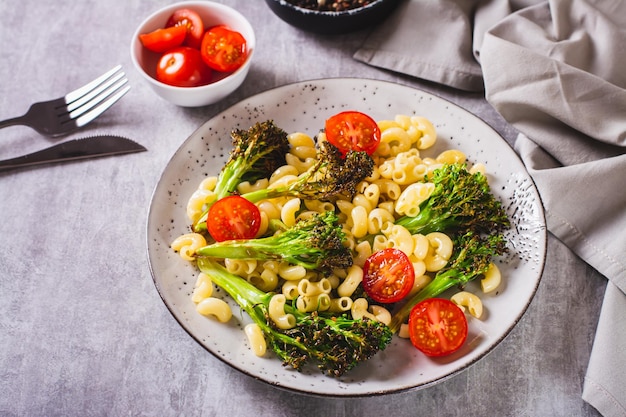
[(83, 331)]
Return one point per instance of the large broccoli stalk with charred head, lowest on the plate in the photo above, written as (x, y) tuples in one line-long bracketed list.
[(337, 344)]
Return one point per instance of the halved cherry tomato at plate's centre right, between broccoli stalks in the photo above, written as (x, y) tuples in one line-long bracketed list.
[(388, 275)]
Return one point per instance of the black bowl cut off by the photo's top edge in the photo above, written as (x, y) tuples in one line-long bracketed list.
[(333, 23)]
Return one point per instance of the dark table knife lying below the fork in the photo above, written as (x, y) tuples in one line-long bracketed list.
[(76, 149)]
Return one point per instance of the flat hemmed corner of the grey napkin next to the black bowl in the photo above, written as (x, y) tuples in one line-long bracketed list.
[(436, 40)]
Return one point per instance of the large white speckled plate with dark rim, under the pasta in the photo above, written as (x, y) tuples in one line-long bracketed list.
[(303, 107)]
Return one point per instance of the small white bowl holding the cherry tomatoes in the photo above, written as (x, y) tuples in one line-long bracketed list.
[(212, 14)]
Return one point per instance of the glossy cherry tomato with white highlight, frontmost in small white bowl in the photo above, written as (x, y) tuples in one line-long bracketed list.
[(183, 67)]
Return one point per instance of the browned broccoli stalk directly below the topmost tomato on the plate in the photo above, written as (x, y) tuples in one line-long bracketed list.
[(332, 175)]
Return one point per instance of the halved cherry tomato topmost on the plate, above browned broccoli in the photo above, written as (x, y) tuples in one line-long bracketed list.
[(353, 130)]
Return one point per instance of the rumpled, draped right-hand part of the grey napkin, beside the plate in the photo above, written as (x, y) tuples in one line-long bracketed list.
[(556, 72)]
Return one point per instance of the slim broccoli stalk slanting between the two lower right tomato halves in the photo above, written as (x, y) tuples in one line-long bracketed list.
[(470, 258)]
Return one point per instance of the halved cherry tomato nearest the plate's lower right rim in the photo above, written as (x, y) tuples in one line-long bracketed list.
[(437, 327)]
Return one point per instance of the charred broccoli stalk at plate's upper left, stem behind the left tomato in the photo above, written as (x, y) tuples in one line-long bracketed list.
[(256, 153)]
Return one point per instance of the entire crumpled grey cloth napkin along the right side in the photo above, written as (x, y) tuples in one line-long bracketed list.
[(555, 70)]
